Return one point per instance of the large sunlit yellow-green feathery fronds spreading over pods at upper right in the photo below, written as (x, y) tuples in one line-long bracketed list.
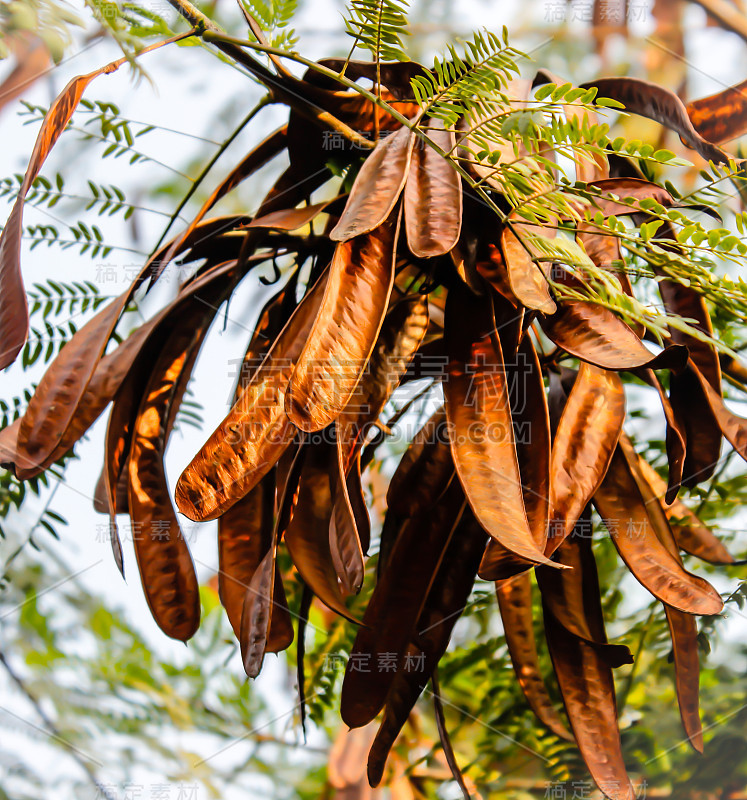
[(513, 147)]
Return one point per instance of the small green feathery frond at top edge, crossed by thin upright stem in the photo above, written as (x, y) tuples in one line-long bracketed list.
[(378, 26)]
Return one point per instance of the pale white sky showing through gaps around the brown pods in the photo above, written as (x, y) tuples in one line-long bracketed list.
[(194, 94)]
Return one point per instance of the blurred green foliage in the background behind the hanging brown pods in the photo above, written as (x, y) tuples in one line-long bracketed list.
[(125, 711)]
